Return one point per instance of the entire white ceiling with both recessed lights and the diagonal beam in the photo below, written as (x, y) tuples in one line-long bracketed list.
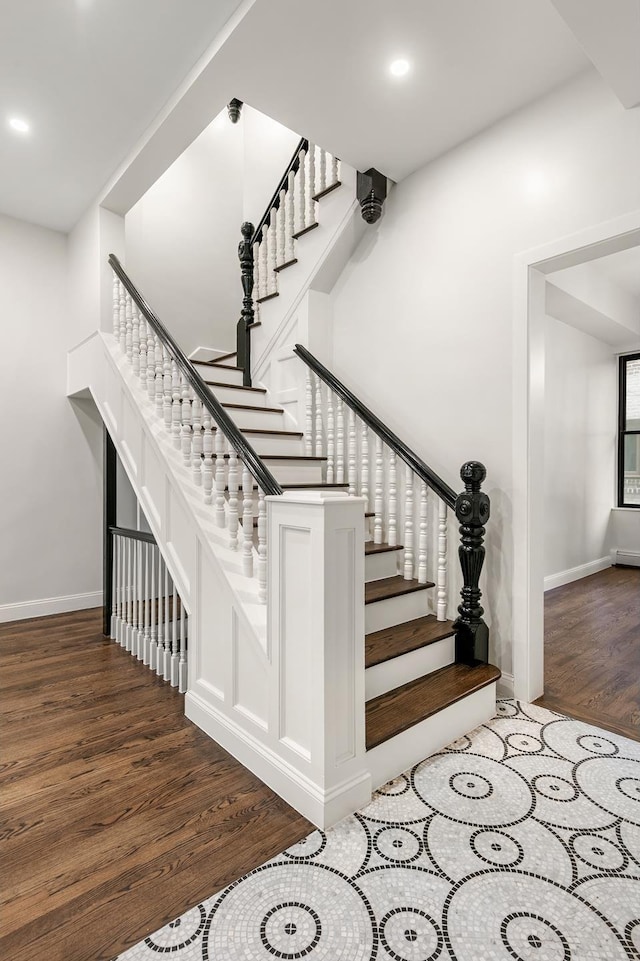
[(91, 75)]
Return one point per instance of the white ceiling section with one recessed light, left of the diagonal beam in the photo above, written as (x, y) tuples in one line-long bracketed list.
[(90, 76)]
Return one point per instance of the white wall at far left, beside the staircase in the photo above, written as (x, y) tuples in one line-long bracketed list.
[(50, 483)]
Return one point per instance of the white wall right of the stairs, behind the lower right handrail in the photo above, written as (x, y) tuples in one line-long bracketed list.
[(423, 312)]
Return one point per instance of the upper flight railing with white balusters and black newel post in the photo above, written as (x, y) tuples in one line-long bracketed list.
[(265, 251)]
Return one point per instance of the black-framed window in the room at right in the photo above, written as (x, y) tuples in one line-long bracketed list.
[(629, 432)]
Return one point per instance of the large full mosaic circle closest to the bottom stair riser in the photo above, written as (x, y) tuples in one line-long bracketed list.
[(485, 793)]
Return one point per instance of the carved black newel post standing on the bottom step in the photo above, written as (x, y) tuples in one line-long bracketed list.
[(472, 510)]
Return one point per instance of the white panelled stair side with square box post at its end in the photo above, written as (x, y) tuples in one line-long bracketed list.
[(235, 671)]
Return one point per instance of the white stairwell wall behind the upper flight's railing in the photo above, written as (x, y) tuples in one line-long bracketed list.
[(182, 236)]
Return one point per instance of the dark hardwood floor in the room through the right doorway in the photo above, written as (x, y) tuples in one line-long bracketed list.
[(592, 650)]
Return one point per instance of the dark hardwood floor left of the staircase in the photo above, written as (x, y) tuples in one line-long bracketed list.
[(117, 813)]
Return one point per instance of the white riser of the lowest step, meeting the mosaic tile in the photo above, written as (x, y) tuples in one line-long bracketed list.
[(396, 755)]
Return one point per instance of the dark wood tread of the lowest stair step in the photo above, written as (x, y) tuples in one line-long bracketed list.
[(397, 710)]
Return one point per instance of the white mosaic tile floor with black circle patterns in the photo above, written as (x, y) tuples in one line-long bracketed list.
[(520, 841)]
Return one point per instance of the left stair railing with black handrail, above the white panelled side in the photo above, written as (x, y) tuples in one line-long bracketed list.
[(197, 422)]
